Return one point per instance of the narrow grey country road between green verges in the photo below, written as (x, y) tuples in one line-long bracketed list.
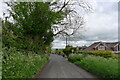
[(59, 67)]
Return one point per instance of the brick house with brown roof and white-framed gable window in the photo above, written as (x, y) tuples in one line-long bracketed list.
[(111, 46)]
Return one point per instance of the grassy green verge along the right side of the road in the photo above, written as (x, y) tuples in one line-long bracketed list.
[(100, 66)]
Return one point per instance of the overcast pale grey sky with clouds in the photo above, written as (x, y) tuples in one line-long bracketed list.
[(101, 25)]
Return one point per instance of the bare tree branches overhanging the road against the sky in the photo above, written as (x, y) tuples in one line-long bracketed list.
[(73, 21)]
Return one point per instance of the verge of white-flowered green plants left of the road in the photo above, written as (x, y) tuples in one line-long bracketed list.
[(21, 64)]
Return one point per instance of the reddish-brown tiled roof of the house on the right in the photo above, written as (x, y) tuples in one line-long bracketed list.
[(109, 45)]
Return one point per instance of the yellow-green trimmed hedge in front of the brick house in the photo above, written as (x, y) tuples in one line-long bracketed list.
[(104, 53)]
